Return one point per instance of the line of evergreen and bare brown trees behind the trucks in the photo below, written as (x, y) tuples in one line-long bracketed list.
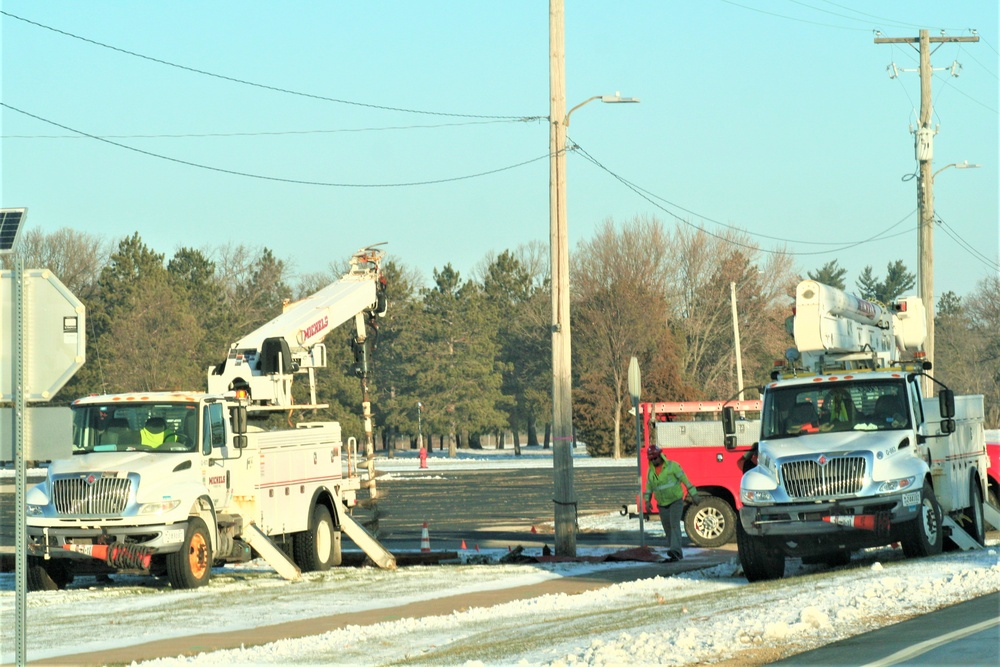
[(475, 352)]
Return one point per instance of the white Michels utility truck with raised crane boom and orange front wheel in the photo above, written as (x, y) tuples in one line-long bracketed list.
[(171, 483)]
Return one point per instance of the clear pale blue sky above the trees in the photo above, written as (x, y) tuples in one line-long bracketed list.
[(776, 117)]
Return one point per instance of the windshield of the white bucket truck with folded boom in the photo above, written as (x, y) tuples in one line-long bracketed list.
[(835, 406)]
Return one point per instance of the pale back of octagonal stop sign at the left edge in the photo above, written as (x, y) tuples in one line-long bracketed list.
[(54, 334)]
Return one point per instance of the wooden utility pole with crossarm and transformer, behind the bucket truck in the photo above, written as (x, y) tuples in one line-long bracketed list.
[(924, 147)]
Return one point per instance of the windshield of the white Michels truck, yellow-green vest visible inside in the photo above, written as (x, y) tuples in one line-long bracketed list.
[(153, 427)]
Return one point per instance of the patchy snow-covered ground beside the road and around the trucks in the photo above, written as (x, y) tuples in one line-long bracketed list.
[(693, 618)]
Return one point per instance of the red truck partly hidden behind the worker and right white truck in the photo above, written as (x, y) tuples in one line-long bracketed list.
[(691, 434)]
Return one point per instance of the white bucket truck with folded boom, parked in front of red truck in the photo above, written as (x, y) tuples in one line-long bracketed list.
[(850, 454)]
